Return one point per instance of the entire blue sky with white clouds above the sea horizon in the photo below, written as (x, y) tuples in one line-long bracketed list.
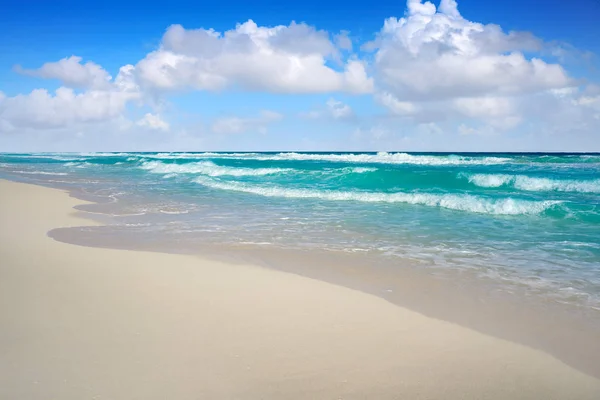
[(304, 76)]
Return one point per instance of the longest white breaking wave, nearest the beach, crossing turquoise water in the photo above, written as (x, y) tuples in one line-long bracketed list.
[(467, 203)]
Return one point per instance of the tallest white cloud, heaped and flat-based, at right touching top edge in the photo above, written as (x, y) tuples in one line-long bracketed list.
[(437, 54)]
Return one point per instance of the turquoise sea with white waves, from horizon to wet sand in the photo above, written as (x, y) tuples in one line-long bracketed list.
[(531, 220)]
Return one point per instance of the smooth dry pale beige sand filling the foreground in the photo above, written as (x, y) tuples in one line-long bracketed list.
[(89, 323)]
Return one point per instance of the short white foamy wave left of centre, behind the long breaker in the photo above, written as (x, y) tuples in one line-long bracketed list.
[(208, 168)]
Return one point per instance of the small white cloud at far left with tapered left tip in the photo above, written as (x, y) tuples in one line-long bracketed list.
[(72, 73)]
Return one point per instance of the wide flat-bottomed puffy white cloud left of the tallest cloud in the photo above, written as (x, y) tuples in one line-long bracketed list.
[(281, 59)]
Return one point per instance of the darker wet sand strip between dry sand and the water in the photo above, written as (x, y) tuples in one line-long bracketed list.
[(457, 297)]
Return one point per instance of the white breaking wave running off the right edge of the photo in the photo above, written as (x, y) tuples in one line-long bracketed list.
[(527, 183)]
